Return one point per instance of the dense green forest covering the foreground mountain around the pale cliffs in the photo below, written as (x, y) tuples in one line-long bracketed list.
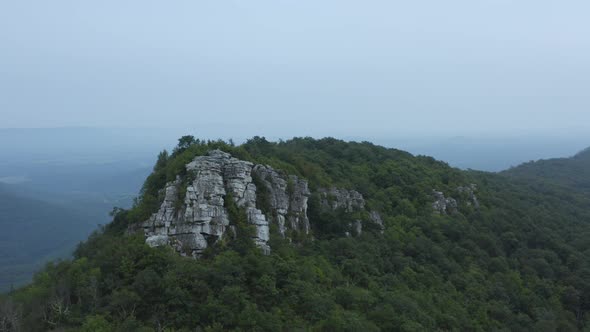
[(518, 262)]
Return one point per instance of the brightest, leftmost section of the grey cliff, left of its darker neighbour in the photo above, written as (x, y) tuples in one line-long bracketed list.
[(202, 219)]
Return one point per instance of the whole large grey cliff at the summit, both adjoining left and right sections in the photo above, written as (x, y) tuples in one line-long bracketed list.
[(201, 218)]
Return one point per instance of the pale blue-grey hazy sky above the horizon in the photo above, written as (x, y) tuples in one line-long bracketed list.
[(278, 67)]
